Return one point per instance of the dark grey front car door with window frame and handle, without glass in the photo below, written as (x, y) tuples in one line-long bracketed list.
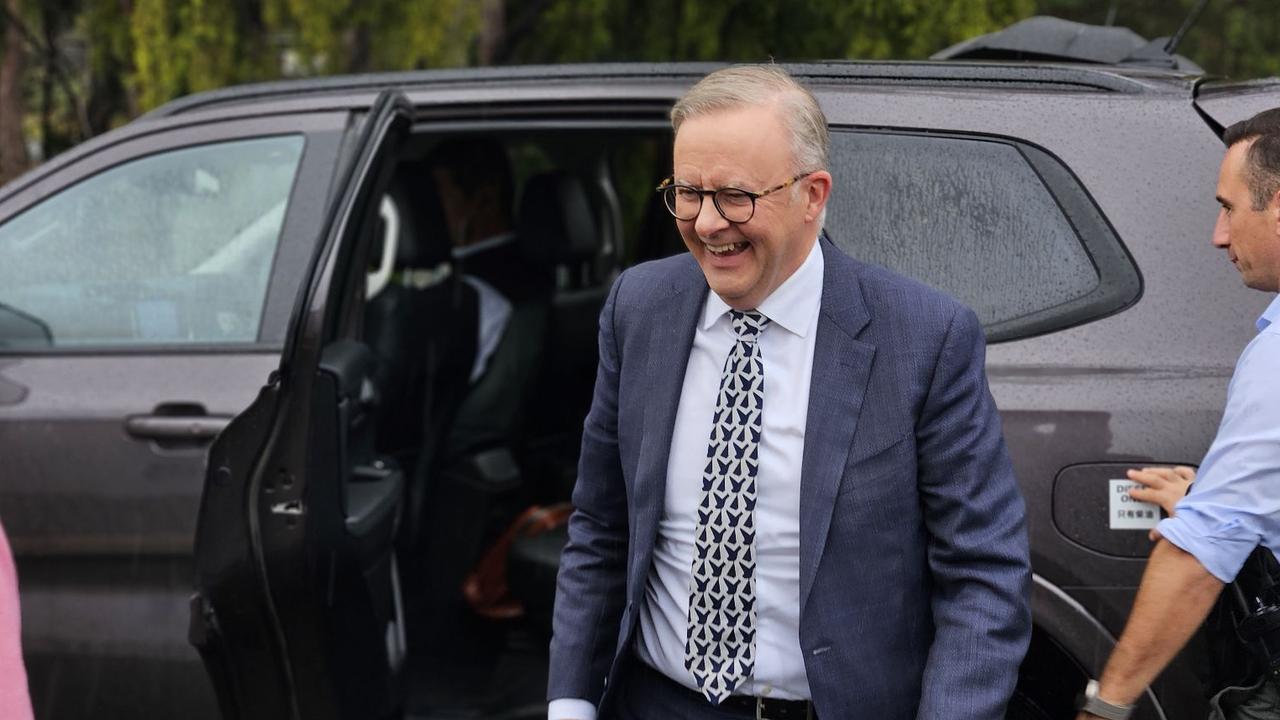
[(100, 495)]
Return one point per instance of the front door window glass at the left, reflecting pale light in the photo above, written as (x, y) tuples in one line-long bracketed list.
[(172, 249)]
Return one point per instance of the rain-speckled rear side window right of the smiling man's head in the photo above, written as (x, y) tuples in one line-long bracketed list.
[(1002, 226)]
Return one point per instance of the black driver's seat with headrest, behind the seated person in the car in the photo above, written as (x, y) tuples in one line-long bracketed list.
[(490, 476)]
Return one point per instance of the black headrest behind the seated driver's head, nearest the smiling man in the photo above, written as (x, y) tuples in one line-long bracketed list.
[(556, 224)]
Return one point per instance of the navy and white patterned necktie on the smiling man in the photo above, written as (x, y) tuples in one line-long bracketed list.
[(720, 648)]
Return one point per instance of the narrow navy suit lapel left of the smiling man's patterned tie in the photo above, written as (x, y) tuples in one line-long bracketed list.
[(671, 338)]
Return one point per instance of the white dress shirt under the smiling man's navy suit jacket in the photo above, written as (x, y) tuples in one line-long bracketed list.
[(787, 348)]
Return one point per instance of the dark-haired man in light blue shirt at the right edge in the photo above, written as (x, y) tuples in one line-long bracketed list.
[(1236, 503)]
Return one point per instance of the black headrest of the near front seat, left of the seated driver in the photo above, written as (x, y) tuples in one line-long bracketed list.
[(424, 238)]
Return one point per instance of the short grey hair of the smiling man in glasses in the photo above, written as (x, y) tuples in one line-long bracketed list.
[(746, 86)]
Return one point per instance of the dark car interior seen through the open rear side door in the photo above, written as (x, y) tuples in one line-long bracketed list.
[(491, 458)]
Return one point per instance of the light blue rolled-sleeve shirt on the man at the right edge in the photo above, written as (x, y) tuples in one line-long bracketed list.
[(1235, 504)]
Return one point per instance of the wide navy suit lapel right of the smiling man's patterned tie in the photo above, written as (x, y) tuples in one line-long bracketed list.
[(842, 367)]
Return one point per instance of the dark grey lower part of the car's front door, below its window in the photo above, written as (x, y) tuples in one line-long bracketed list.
[(102, 526)]
